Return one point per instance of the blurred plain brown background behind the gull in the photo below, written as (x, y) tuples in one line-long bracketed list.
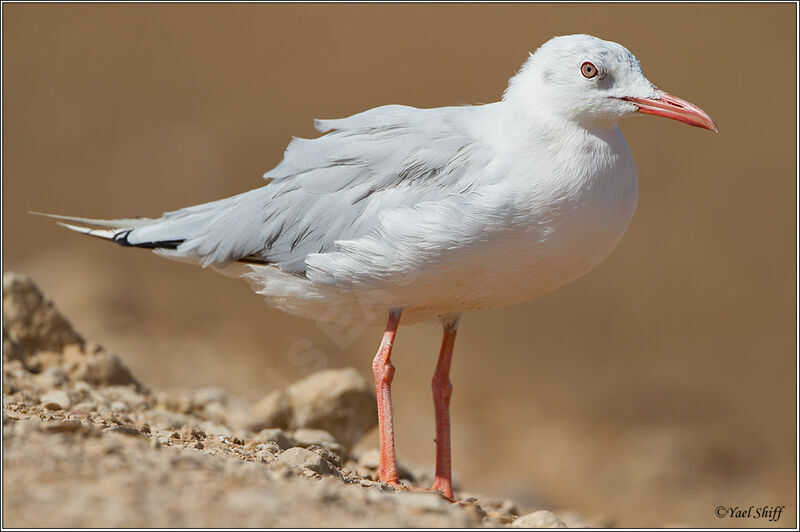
[(657, 387)]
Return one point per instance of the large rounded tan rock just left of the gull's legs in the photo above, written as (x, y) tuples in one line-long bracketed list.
[(339, 401)]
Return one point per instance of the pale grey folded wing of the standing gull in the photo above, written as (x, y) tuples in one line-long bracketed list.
[(327, 189)]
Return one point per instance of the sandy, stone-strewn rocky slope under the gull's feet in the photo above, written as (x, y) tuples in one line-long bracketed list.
[(85, 444)]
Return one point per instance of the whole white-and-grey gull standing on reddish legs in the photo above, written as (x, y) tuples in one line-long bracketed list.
[(426, 213)]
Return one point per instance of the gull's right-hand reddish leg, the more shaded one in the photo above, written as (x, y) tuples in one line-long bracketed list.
[(442, 390)]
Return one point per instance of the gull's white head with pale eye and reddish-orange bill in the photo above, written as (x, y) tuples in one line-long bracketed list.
[(593, 81)]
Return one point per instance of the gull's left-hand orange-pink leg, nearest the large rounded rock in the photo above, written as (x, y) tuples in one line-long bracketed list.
[(384, 371)]
